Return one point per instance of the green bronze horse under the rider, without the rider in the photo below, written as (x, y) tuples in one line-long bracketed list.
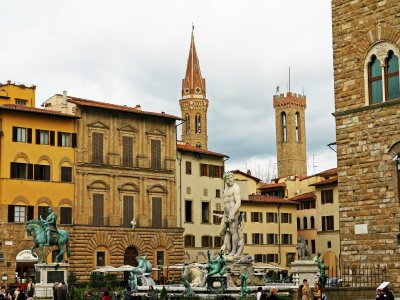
[(36, 229)]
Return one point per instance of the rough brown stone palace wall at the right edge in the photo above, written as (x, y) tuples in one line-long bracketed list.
[(366, 133)]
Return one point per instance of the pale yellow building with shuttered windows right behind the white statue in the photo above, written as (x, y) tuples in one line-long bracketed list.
[(270, 229)]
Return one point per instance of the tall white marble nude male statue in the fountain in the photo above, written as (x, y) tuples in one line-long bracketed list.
[(230, 219)]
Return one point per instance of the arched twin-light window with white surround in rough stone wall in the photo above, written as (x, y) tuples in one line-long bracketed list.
[(382, 73)]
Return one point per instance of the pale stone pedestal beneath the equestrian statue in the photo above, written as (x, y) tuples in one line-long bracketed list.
[(46, 276)]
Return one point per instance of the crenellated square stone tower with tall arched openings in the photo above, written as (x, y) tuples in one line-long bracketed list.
[(290, 134)]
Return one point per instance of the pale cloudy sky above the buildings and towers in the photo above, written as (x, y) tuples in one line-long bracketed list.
[(132, 52)]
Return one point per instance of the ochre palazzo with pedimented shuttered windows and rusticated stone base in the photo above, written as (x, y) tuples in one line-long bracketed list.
[(125, 178)]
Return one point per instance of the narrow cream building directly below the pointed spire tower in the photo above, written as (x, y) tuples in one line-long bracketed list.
[(200, 189)]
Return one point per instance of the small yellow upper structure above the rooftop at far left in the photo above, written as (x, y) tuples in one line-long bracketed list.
[(20, 94)]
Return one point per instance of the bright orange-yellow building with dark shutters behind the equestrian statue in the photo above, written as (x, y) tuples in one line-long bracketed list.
[(36, 171)]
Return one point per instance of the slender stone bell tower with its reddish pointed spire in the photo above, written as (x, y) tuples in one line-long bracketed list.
[(194, 104)]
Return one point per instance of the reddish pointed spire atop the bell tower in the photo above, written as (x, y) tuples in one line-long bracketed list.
[(193, 82)]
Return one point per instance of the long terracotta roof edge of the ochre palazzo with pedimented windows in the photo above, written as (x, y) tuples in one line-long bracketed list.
[(104, 105)]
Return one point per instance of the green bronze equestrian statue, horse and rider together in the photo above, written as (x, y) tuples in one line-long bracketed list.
[(46, 234)]
